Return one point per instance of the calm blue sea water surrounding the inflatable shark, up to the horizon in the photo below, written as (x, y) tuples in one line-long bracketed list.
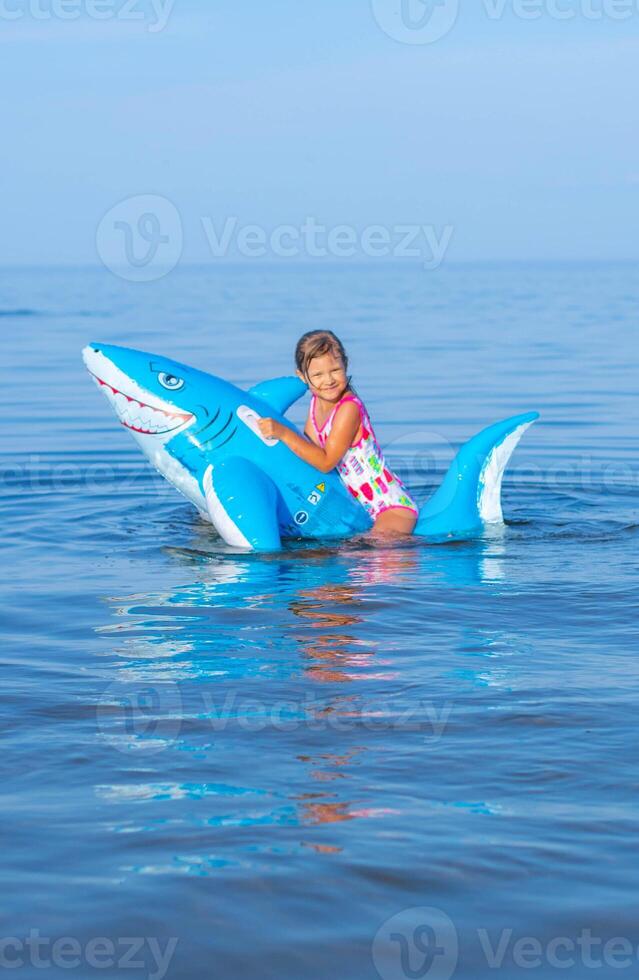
[(352, 762)]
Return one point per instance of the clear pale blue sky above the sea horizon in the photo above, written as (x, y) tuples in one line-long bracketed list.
[(522, 134)]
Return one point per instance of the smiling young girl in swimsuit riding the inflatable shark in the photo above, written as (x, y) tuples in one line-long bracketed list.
[(341, 435)]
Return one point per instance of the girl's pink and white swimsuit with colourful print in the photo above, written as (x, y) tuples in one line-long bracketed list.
[(363, 468)]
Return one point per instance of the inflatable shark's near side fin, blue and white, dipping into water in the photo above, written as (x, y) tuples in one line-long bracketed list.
[(242, 504)]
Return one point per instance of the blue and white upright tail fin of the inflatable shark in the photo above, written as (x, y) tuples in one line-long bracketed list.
[(470, 495)]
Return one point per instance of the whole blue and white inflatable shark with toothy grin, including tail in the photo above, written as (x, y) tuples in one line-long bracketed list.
[(201, 434)]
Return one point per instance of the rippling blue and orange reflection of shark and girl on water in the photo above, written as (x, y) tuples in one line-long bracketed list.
[(286, 676)]
